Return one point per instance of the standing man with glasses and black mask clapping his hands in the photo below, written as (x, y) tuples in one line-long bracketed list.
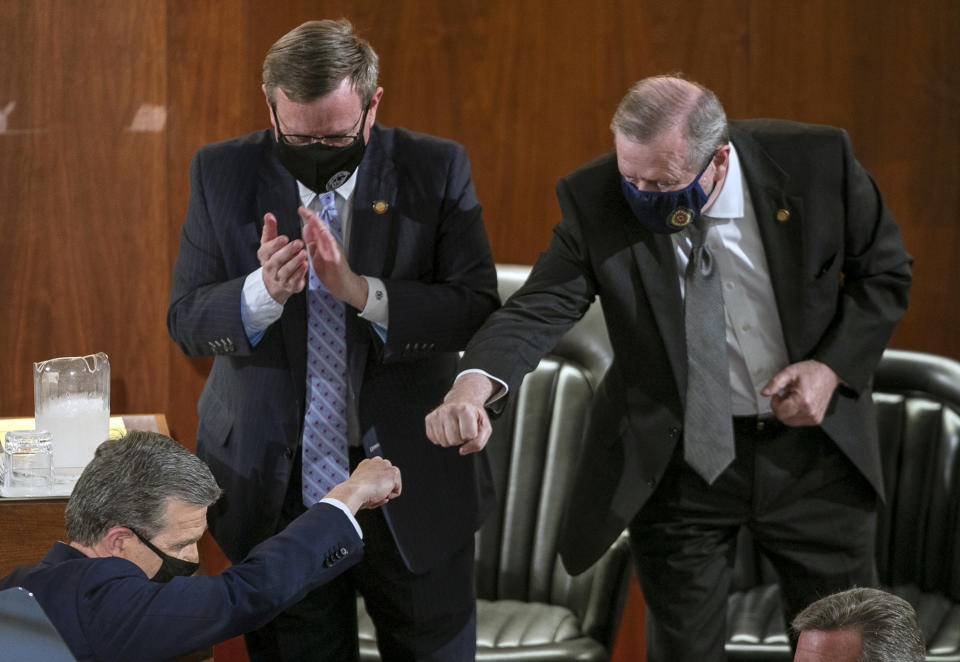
[(344, 336)]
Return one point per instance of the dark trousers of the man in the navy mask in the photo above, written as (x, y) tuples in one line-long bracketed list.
[(812, 514)]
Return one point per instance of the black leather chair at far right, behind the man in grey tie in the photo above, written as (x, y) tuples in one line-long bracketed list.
[(918, 534)]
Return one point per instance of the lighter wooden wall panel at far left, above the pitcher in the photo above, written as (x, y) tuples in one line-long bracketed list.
[(83, 187)]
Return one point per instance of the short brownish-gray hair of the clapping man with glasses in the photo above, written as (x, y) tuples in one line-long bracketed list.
[(311, 60)]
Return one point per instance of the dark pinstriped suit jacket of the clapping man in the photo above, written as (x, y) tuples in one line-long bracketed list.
[(431, 250)]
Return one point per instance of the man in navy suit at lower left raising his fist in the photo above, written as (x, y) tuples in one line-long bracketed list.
[(122, 590)]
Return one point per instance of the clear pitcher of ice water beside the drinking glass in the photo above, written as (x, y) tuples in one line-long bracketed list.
[(72, 402)]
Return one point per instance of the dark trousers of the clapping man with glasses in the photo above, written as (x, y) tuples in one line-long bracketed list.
[(429, 617)]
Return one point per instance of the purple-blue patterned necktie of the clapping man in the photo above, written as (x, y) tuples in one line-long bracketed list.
[(325, 461)]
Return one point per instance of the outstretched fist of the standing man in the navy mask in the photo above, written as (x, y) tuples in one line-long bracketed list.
[(462, 419)]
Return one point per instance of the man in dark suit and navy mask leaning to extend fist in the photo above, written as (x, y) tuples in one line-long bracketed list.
[(813, 276)]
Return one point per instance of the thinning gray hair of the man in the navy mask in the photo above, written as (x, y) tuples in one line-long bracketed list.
[(659, 103)]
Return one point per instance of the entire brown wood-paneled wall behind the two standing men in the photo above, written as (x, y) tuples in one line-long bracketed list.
[(93, 198)]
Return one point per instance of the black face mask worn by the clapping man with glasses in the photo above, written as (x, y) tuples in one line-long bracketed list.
[(320, 167)]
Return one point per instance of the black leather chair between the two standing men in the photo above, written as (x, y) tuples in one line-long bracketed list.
[(528, 607)]
